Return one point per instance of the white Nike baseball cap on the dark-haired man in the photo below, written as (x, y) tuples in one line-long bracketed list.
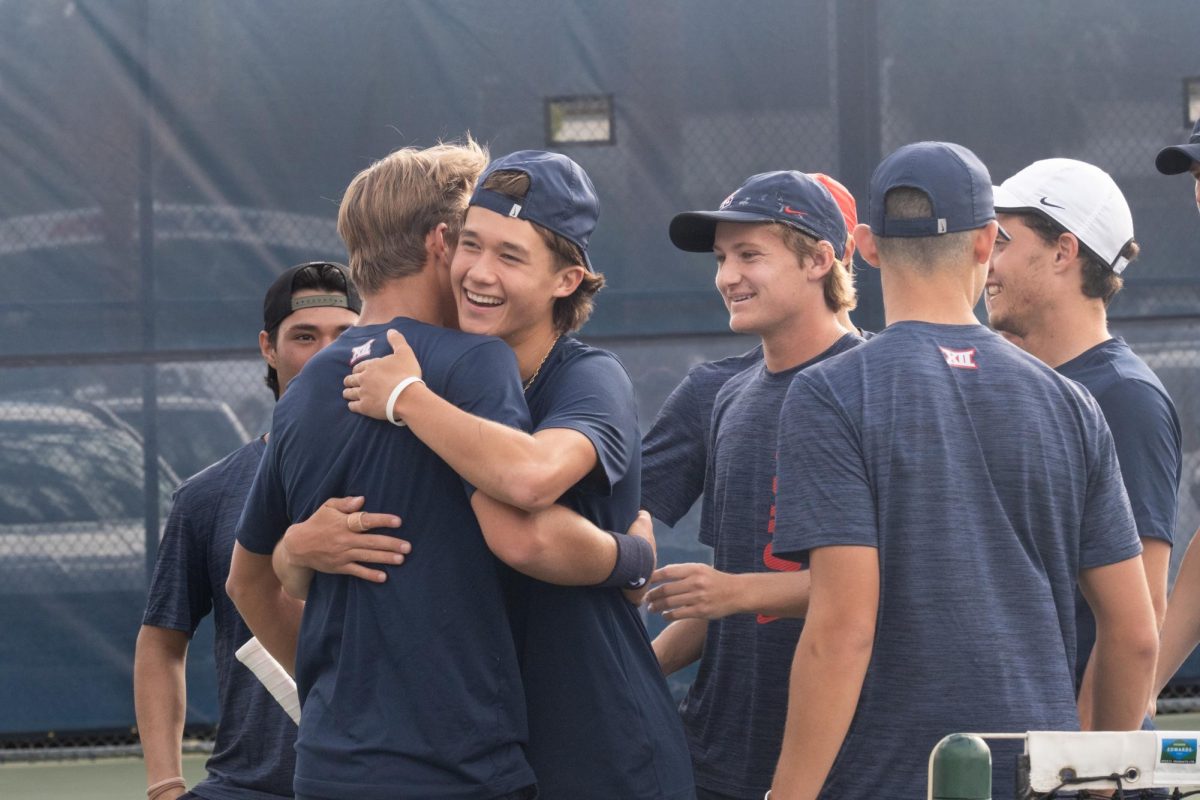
[(1078, 196)]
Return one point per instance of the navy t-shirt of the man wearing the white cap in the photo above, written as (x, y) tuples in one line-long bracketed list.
[(1147, 431)]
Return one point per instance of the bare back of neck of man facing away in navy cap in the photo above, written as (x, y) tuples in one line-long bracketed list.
[(944, 297)]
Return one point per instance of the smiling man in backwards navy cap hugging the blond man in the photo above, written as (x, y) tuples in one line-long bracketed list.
[(602, 720)]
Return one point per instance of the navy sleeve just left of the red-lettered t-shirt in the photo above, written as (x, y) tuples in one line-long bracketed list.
[(675, 450)]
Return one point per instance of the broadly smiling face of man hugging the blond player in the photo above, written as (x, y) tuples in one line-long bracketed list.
[(506, 279)]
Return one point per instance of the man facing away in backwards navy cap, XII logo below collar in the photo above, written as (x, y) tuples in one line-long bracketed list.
[(946, 489)]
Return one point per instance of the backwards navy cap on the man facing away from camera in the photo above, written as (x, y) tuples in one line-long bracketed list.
[(957, 183)]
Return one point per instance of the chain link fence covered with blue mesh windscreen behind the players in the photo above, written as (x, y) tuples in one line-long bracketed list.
[(165, 161)]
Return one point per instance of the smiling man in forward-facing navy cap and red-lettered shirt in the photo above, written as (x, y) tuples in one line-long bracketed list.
[(781, 249)]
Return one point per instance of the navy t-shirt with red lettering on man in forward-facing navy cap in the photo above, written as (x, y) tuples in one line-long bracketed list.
[(736, 709)]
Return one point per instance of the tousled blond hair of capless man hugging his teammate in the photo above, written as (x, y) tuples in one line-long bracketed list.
[(392, 207)]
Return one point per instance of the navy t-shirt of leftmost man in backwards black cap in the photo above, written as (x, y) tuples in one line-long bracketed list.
[(253, 757)]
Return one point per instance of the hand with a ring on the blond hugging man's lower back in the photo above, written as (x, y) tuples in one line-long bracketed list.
[(334, 540)]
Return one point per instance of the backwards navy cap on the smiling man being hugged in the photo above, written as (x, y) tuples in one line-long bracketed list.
[(561, 196)]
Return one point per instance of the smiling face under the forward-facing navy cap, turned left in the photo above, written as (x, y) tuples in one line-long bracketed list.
[(761, 280)]
